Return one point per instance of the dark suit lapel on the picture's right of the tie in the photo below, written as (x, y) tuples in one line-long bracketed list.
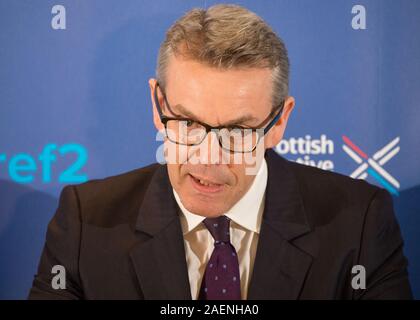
[(281, 266)]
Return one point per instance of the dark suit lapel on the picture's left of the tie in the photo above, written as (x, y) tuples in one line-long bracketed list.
[(159, 262)]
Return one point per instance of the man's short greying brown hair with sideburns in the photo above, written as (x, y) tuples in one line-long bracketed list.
[(227, 36)]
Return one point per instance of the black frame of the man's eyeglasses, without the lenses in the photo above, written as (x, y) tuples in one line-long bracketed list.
[(164, 119)]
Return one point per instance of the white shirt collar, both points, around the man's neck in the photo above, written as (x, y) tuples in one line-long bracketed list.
[(247, 212)]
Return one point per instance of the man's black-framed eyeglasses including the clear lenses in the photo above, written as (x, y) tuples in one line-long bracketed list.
[(236, 139)]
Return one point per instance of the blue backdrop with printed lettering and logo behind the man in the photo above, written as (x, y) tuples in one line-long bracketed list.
[(75, 103)]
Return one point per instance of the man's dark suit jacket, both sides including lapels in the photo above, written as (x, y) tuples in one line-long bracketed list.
[(121, 238)]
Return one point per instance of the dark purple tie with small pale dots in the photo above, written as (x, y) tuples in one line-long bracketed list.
[(221, 278)]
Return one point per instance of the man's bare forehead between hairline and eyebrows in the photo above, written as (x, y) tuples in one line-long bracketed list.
[(238, 88)]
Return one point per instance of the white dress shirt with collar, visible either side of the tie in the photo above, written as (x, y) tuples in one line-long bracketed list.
[(245, 225)]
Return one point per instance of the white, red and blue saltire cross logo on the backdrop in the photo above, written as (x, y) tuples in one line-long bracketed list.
[(373, 166)]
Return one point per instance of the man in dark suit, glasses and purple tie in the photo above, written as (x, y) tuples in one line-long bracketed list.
[(204, 226)]
